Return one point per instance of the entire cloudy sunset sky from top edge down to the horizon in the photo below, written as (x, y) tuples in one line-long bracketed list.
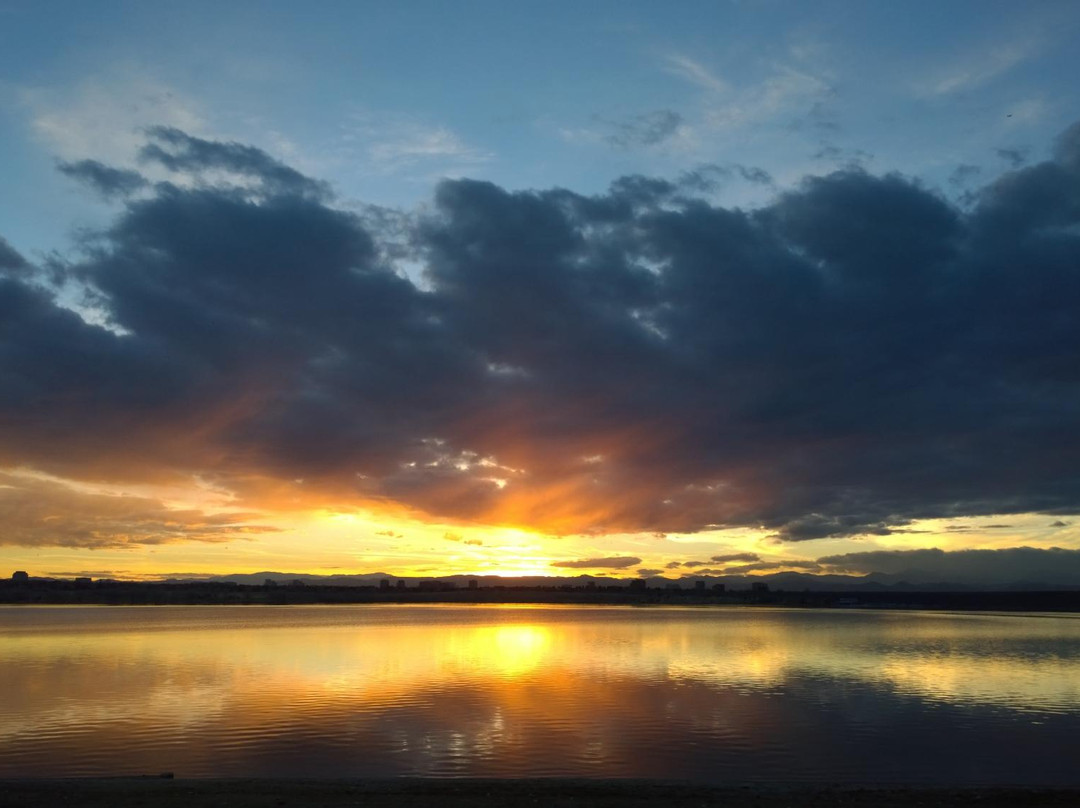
[(541, 289)]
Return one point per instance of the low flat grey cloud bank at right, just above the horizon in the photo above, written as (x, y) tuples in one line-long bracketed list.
[(1019, 564)]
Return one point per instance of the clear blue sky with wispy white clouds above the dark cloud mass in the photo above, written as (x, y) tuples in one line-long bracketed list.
[(384, 99)]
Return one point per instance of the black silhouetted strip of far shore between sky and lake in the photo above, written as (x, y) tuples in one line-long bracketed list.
[(120, 594)]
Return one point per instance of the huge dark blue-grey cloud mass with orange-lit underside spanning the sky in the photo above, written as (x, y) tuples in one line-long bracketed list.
[(857, 355)]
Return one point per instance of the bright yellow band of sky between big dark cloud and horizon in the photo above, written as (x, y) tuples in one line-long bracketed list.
[(355, 541)]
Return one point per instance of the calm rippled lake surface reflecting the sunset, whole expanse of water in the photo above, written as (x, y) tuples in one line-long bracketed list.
[(701, 695)]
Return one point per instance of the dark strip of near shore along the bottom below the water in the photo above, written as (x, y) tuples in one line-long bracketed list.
[(164, 793)]
